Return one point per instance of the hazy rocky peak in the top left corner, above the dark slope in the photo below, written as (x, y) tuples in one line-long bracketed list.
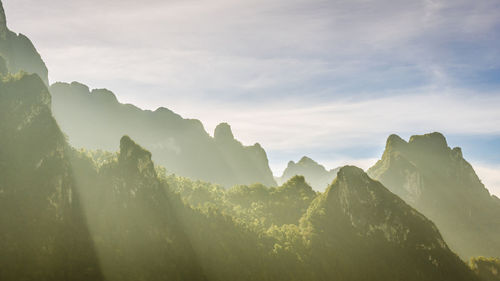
[(18, 51)]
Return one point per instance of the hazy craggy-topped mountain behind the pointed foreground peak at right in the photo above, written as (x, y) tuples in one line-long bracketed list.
[(436, 180)]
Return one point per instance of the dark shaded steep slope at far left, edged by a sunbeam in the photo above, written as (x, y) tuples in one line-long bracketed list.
[(41, 217)]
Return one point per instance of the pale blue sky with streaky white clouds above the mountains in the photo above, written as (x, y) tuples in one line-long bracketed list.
[(326, 79)]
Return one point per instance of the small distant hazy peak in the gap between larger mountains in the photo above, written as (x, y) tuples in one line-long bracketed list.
[(316, 175)]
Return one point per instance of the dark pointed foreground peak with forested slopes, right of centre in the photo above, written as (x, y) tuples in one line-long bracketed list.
[(358, 230)]
